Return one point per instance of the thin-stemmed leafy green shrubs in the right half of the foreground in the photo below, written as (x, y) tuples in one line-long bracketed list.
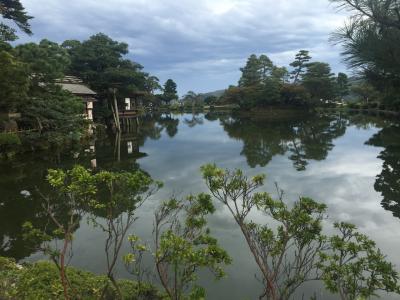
[(291, 249)]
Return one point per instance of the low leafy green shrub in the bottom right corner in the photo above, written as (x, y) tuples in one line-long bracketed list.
[(354, 268)]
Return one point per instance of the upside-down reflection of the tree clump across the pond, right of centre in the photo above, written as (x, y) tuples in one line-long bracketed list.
[(303, 138)]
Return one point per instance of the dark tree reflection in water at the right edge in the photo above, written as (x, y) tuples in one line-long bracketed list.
[(388, 181)]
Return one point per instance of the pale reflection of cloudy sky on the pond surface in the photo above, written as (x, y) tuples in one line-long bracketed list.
[(344, 181)]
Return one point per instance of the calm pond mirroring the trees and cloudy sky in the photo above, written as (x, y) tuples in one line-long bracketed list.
[(351, 162)]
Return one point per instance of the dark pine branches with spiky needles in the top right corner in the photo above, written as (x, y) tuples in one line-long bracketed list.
[(371, 40)]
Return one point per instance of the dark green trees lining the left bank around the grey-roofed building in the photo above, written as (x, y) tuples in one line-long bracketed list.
[(49, 115)]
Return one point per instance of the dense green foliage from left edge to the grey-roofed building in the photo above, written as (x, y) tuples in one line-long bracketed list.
[(28, 74)]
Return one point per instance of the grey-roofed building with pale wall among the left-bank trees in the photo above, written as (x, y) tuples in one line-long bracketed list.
[(76, 86)]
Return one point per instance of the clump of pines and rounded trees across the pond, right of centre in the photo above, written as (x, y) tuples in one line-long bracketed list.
[(309, 83)]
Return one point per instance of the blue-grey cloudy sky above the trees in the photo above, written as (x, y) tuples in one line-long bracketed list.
[(201, 44)]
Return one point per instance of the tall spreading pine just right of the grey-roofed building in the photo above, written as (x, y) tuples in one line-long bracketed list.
[(100, 62)]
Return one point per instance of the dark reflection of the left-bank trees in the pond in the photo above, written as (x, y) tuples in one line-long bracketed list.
[(28, 172)]
